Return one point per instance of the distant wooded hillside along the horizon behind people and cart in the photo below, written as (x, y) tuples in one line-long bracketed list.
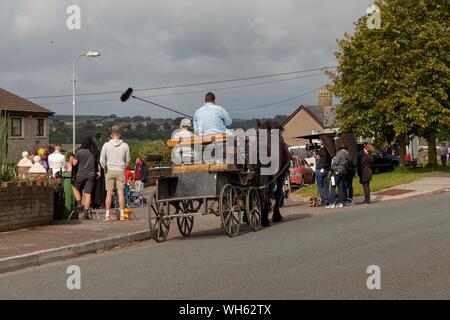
[(133, 128)]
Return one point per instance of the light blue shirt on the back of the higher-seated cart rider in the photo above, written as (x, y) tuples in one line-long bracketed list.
[(211, 119)]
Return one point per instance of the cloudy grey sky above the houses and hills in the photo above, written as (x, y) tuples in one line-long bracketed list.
[(151, 43)]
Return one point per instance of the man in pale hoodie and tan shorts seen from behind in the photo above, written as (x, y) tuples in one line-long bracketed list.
[(114, 158)]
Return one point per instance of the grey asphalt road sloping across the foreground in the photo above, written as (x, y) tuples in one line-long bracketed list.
[(305, 257)]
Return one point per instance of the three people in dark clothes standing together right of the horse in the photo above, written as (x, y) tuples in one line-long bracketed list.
[(340, 171)]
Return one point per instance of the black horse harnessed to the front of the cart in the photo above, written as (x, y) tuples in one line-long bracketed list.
[(274, 181)]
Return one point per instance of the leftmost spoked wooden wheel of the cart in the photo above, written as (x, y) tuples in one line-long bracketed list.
[(159, 226)]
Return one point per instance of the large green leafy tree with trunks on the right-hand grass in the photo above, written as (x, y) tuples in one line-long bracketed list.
[(394, 81)]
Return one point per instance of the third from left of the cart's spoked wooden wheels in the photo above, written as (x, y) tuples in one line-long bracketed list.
[(229, 210)]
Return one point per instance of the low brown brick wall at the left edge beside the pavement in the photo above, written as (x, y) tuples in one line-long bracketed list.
[(25, 204)]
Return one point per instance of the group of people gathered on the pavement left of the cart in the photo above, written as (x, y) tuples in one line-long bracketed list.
[(93, 171)]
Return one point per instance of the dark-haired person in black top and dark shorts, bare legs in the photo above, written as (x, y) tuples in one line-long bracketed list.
[(86, 173)]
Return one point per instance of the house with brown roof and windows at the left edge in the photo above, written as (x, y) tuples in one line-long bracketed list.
[(27, 124)]
